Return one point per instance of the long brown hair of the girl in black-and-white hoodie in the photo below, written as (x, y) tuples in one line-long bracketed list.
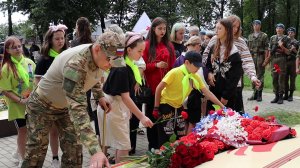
[(228, 41)]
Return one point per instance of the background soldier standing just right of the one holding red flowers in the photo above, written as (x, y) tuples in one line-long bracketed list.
[(291, 66)]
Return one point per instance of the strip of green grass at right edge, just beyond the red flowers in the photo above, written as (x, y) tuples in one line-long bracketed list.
[(284, 117)]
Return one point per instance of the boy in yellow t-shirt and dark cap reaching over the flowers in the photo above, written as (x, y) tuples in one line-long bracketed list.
[(173, 90)]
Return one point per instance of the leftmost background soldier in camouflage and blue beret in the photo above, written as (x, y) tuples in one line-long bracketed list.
[(258, 46)]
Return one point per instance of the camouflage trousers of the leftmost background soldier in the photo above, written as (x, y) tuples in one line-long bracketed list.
[(258, 60)]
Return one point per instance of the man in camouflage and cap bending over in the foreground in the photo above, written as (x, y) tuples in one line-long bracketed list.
[(60, 99)]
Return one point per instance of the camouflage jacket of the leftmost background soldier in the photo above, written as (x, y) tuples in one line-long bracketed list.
[(258, 44)]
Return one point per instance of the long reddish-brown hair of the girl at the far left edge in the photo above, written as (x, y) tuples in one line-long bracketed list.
[(10, 41)]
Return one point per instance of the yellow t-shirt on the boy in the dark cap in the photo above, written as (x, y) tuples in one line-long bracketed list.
[(172, 93)]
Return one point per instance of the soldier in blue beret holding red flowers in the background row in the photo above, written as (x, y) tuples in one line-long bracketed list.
[(278, 51)]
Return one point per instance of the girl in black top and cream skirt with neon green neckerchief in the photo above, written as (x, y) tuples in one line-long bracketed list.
[(120, 89)]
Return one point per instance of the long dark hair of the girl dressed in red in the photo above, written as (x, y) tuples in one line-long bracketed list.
[(153, 40)]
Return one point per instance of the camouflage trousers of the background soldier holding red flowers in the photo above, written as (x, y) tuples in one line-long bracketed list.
[(278, 77)]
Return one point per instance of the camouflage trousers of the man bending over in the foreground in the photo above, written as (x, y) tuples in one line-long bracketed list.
[(41, 117)]
